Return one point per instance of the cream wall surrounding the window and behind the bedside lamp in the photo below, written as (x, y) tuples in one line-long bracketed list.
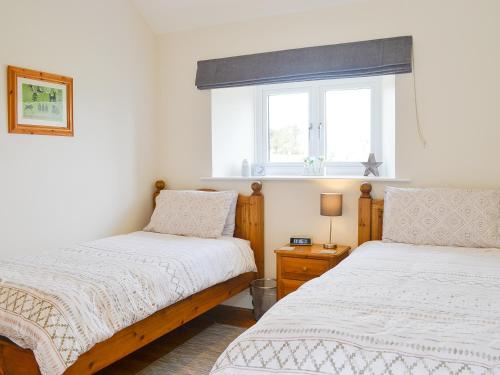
[(457, 59)]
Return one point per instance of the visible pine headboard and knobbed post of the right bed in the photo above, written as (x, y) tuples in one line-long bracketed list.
[(370, 215)]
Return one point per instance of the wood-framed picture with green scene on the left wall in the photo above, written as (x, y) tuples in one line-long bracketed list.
[(39, 103)]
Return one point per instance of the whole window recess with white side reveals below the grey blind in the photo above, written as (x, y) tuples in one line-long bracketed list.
[(340, 121)]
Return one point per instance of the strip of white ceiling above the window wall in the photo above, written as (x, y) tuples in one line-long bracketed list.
[(174, 15)]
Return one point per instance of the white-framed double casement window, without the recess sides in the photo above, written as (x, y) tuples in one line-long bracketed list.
[(338, 121)]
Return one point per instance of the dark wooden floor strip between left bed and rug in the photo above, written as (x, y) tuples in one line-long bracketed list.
[(135, 362)]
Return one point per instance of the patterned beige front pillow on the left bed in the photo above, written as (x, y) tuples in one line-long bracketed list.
[(191, 213)]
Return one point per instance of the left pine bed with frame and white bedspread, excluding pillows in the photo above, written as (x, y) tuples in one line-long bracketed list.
[(101, 300)]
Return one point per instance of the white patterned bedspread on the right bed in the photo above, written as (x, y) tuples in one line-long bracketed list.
[(387, 309)]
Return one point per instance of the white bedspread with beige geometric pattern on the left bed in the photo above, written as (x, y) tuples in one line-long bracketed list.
[(61, 304)]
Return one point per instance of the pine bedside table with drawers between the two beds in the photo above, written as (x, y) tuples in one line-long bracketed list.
[(295, 267)]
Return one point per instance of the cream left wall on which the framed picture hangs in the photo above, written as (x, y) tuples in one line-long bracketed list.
[(55, 191)]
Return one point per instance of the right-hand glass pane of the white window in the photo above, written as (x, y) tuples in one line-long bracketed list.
[(348, 124)]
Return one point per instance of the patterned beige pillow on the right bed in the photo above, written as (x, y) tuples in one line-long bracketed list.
[(445, 217)]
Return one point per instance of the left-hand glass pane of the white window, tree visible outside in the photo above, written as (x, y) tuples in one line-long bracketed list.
[(288, 127)]
